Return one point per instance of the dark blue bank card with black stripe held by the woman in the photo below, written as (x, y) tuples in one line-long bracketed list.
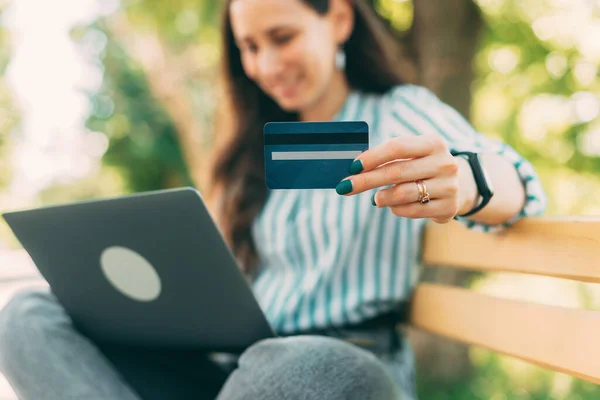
[(312, 155)]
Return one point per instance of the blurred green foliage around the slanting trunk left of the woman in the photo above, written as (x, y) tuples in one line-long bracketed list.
[(143, 140)]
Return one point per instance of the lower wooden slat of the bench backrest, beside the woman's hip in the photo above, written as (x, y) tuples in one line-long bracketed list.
[(562, 339)]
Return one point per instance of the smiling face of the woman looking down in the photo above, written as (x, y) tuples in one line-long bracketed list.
[(287, 48)]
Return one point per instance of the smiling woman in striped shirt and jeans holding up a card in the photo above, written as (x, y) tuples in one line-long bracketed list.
[(331, 269)]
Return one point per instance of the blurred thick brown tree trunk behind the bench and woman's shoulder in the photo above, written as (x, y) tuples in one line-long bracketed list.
[(445, 36)]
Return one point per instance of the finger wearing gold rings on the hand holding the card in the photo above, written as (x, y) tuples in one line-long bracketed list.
[(408, 192)]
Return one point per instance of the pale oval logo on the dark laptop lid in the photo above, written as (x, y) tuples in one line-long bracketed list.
[(130, 273)]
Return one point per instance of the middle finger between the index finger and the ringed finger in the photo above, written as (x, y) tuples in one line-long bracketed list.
[(404, 171)]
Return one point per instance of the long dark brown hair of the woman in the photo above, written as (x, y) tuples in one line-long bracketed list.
[(237, 186)]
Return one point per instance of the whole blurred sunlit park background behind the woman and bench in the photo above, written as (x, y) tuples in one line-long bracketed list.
[(101, 98)]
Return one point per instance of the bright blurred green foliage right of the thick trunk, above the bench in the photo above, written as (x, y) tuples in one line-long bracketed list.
[(526, 92)]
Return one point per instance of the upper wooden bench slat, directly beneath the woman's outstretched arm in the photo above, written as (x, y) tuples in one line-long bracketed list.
[(564, 248)]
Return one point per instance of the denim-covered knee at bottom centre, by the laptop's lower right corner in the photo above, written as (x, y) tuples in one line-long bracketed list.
[(312, 367)]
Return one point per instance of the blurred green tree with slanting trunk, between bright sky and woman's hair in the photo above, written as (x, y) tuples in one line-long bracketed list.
[(160, 65)]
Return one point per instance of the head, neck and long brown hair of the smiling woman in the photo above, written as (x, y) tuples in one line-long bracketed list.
[(281, 62)]
